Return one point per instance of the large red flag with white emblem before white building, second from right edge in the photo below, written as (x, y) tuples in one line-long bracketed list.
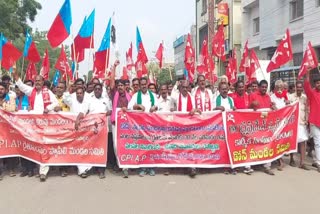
[(283, 53)]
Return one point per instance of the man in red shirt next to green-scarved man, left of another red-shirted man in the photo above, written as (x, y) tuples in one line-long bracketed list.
[(240, 97)]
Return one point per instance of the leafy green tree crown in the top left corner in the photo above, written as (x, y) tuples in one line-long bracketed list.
[(15, 15)]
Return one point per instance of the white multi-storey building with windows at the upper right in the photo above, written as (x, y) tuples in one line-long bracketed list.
[(264, 23)]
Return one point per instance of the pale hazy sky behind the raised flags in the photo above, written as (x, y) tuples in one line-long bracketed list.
[(158, 20)]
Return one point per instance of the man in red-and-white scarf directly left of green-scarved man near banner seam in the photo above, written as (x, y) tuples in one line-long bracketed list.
[(203, 97)]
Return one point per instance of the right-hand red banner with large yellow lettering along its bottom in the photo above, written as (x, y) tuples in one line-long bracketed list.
[(261, 137)]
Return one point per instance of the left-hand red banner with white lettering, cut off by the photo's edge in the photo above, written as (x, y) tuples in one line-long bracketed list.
[(52, 140)]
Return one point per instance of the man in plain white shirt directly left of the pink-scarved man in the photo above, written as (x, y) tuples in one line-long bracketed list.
[(100, 104)]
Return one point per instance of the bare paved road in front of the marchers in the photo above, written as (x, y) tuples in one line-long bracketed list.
[(291, 191)]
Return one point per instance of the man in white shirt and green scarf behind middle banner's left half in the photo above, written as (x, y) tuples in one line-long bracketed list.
[(146, 101)]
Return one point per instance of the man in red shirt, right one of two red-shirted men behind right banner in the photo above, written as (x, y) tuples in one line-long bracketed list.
[(261, 100)]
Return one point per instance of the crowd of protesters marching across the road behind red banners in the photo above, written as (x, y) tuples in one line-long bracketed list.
[(78, 97)]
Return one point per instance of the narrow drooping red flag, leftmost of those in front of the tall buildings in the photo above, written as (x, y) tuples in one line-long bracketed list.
[(189, 59)]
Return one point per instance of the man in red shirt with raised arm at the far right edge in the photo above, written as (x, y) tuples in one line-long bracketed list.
[(314, 119)]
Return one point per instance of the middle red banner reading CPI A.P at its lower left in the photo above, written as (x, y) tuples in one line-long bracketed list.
[(171, 140)]
